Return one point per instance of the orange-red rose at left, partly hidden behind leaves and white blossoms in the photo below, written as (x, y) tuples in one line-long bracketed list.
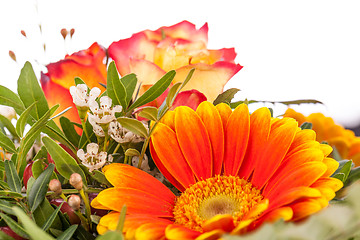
[(87, 64)]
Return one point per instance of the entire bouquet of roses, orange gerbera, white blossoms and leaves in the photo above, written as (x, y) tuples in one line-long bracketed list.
[(140, 141)]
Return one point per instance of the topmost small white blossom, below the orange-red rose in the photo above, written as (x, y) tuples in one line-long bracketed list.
[(80, 95)]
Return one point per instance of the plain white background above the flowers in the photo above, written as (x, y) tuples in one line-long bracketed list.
[(289, 49)]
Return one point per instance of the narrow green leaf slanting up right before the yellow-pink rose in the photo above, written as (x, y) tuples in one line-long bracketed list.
[(154, 91)]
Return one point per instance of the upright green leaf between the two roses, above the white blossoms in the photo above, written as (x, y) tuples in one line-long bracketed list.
[(115, 88)]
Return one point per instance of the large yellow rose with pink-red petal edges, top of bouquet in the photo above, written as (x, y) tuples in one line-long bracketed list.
[(182, 47)]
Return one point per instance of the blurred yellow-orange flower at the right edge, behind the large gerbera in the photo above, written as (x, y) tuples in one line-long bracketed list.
[(344, 140)]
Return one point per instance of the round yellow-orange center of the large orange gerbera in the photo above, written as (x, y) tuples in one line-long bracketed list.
[(218, 195)]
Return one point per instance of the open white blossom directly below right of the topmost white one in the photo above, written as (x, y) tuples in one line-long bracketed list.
[(104, 113)]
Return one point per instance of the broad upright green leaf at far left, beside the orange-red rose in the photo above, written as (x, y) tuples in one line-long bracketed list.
[(30, 91)]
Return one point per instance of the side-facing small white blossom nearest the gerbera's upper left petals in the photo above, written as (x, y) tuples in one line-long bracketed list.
[(122, 135)]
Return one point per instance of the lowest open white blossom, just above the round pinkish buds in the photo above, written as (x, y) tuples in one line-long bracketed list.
[(92, 159)]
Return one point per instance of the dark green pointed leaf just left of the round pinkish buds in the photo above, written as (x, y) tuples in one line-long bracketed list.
[(39, 188)]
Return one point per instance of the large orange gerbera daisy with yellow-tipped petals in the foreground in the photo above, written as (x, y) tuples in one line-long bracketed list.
[(234, 171)]
